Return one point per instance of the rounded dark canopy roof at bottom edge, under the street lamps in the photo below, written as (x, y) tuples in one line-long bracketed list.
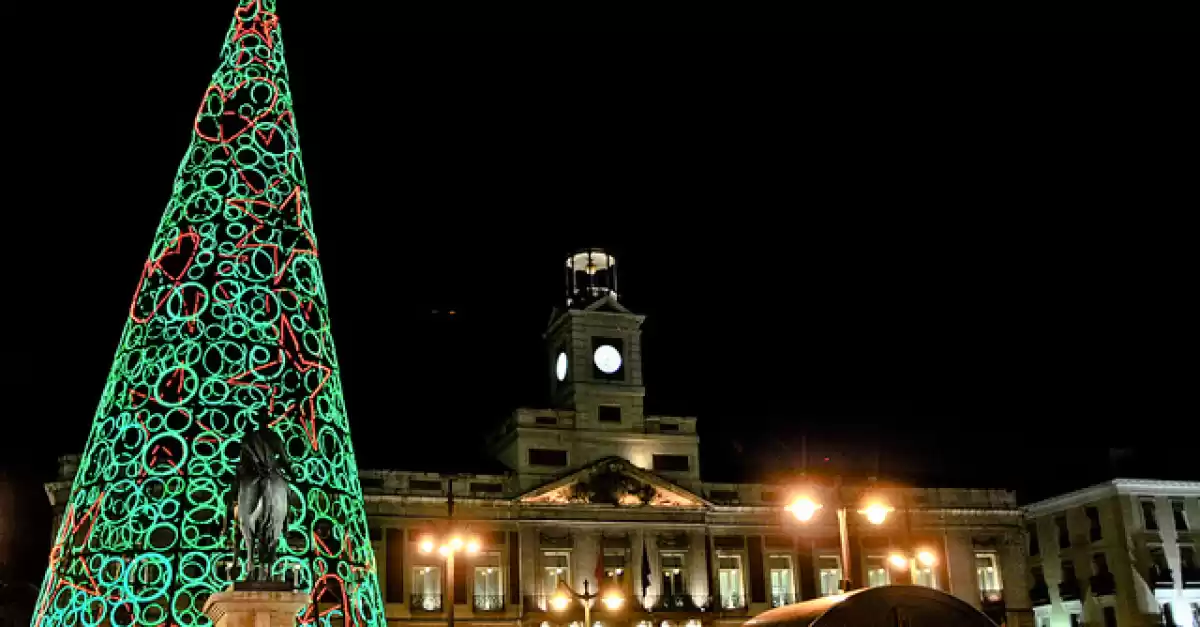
[(878, 607)]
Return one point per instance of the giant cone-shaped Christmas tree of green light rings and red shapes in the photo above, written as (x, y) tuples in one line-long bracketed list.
[(229, 330)]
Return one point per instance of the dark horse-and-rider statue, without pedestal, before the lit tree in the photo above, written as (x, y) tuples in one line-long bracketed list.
[(263, 480)]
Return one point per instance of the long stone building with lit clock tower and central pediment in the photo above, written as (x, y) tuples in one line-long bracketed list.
[(602, 498)]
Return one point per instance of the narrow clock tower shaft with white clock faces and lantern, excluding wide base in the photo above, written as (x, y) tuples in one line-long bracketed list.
[(595, 348)]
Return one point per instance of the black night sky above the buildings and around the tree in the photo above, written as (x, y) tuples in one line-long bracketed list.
[(971, 266)]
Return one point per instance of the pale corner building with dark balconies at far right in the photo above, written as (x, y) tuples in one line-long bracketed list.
[(1120, 554)]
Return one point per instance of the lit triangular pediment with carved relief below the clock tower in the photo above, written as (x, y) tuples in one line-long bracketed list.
[(615, 482)]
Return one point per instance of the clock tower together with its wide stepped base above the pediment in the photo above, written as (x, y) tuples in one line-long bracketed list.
[(595, 372)]
